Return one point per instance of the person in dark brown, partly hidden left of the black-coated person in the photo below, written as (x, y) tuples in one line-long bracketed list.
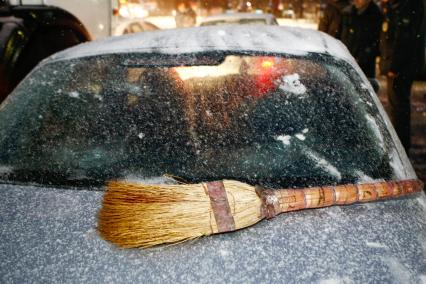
[(330, 22)]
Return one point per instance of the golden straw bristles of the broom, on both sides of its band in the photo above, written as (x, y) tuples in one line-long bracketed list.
[(144, 216)]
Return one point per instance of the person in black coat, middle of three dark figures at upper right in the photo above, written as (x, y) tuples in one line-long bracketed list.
[(361, 23)]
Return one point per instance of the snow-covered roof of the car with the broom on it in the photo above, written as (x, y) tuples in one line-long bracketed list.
[(259, 38)]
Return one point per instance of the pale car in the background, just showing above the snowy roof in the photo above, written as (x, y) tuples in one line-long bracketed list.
[(239, 18)]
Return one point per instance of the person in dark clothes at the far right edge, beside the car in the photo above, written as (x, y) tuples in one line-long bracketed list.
[(400, 46)]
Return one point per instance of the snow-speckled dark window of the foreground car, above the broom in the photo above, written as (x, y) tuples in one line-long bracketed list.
[(268, 120)]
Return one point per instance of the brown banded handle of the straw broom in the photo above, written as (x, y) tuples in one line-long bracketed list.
[(285, 200)]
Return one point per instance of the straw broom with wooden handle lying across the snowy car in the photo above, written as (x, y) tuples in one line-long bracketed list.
[(137, 215)]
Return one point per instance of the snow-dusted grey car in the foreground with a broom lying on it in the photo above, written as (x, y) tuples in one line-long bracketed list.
[(199, 105)]
